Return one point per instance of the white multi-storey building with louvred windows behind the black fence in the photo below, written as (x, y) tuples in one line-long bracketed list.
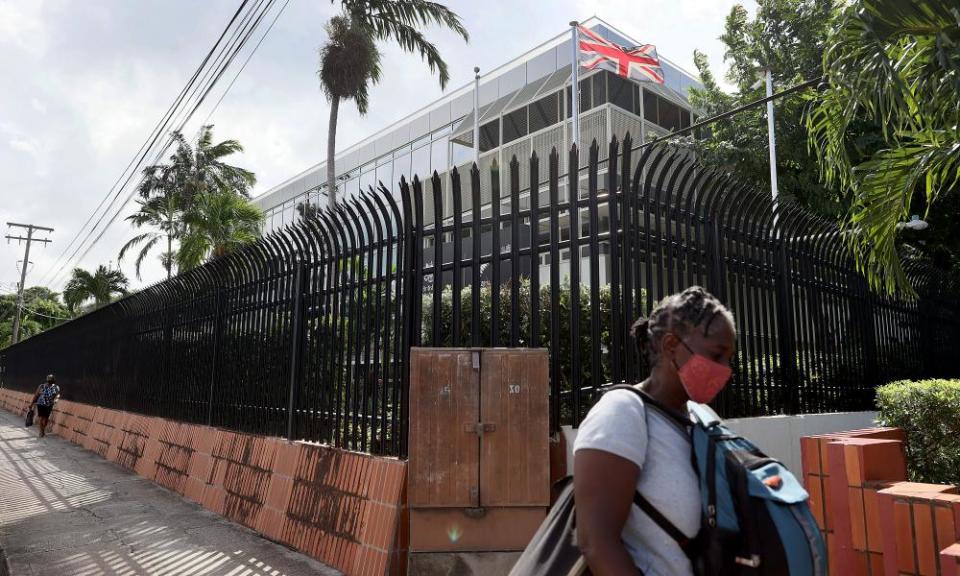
[(524, 107)]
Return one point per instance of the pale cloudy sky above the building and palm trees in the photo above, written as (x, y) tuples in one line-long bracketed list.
[(84, 82)]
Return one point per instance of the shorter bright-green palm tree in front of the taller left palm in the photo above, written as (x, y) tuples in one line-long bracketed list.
[(217, 224)]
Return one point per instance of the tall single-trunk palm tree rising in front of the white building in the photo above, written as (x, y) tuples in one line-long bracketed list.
[(350, 61)]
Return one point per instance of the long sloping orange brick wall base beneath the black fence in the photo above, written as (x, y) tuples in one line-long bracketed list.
[(343, 508)]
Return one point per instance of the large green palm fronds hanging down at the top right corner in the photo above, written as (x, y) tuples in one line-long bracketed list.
[(893, 64)]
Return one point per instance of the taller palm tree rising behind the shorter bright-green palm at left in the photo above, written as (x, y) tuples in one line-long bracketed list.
[(169, 191)]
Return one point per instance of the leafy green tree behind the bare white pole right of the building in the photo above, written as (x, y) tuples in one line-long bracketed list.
[(787, 36)]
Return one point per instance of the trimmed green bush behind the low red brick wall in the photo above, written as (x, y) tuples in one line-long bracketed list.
[(929, 411)]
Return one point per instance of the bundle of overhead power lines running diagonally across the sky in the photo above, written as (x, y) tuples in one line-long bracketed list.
[(185, 96)]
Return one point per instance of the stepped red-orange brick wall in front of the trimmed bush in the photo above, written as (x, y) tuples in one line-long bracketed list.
[(874, 522)]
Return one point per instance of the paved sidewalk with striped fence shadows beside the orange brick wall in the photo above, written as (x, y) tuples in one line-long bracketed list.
[(65, 511)]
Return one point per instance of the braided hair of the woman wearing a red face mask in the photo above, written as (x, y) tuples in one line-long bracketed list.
[(680, 314)]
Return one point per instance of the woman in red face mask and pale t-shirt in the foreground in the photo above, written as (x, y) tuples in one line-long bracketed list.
[(623, 447)]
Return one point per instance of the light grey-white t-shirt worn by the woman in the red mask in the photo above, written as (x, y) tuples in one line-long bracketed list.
[(620, 424)]
